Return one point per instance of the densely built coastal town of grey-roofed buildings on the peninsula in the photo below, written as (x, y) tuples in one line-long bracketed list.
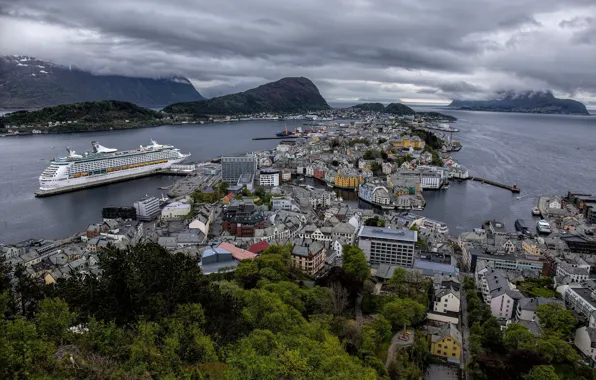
[(342, 186)]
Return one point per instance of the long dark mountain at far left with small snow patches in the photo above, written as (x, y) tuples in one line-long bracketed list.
[(26, 82)]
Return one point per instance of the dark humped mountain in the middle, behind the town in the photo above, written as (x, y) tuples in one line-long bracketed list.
[(293, 94)]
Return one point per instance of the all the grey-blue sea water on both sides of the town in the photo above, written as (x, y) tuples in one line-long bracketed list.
[(542, 154)]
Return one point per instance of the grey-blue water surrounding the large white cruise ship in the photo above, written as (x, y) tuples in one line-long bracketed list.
[(23, 216)]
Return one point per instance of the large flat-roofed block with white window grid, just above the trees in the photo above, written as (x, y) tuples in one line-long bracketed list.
[(388, 245)]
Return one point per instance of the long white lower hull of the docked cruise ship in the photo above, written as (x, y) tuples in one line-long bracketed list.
[(50, 185)]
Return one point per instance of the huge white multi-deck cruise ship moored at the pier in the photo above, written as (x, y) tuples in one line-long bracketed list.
[(105, 165)]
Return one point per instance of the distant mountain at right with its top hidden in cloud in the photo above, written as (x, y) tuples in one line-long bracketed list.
[(526, 102)]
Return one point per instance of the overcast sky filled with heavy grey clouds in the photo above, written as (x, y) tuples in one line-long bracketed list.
[(352, 49)]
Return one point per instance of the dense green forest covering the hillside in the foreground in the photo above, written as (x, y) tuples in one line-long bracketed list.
[(153, 314)]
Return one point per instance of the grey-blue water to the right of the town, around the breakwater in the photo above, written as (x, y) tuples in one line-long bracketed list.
[(542, 154)]
